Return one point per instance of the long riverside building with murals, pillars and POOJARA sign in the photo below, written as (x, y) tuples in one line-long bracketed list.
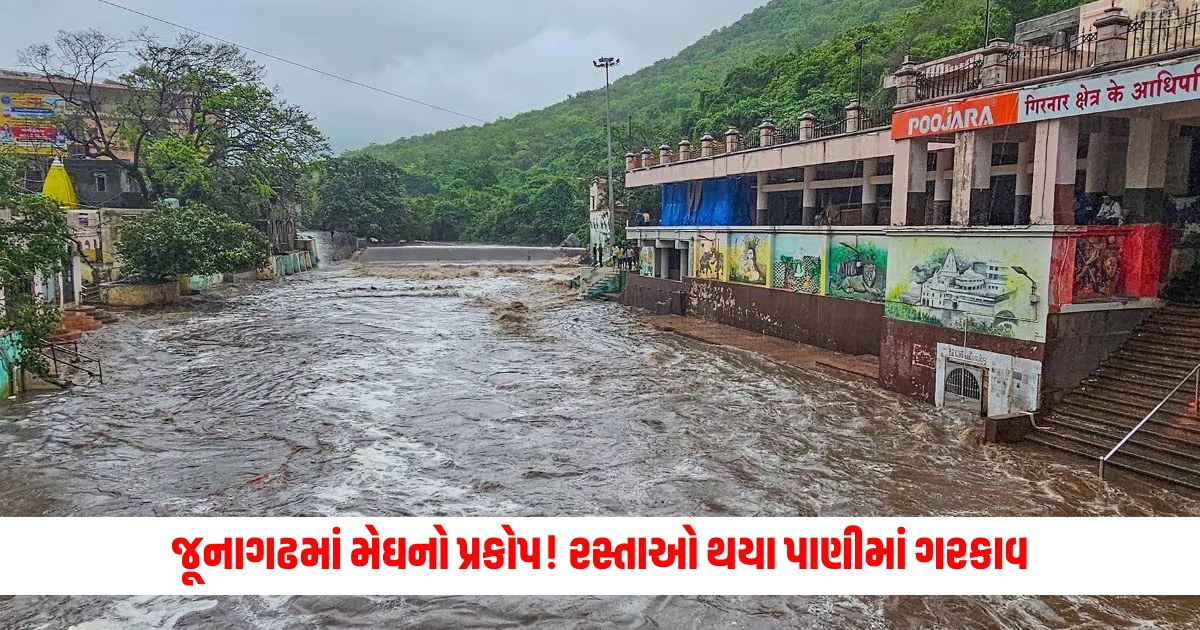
[(961, 238)]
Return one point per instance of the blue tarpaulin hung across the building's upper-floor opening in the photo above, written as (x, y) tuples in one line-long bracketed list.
[(712, 202)]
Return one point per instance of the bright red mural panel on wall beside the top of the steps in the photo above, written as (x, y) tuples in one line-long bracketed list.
[(1091, 263)]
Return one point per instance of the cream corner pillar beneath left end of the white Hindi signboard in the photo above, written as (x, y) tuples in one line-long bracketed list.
[(1055, 149)]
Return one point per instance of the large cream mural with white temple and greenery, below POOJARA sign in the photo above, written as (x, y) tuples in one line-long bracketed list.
[(985, 286)]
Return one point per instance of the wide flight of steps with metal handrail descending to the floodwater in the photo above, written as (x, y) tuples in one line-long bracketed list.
[(1129, 386)]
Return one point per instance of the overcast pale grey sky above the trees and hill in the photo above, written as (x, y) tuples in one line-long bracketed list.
[(487, 58)]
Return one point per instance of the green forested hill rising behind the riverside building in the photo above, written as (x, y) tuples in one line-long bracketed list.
[(524, 179)]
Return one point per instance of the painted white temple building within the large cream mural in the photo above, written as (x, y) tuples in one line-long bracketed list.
[(979, 290)]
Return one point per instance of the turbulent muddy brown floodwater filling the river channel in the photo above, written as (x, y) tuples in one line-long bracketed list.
[(335, 393)]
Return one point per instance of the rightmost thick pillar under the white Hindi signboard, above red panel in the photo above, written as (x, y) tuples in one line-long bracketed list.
[(1145, 196)]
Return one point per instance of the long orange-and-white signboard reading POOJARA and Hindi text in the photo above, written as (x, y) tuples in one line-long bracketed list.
[(1145, 87)]
